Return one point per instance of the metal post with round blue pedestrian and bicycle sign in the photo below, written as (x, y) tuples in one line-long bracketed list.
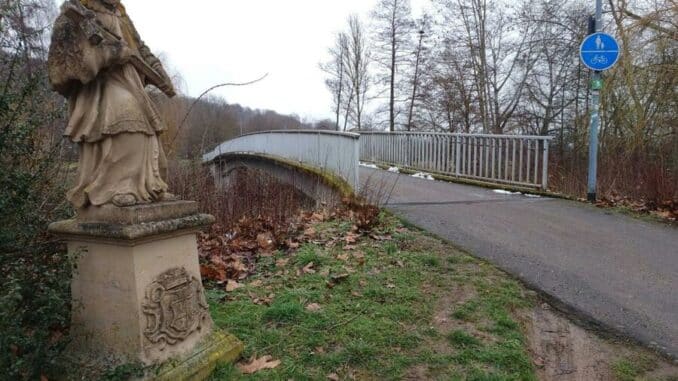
[(598, 52)]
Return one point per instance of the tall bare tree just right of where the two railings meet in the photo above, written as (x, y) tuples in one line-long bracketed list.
[(393, 26)]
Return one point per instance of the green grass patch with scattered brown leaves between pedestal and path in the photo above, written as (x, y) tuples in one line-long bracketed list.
[(378, 320)]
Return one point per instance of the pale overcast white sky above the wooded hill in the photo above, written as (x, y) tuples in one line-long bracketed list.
[(214, 41)]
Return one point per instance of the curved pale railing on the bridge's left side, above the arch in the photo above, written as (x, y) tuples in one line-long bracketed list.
[(336, 152)]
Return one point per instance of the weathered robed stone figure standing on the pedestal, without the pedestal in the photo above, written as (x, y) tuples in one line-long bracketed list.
[(99, 63)]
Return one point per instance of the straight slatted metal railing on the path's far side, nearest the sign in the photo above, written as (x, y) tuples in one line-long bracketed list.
[(503, 159)]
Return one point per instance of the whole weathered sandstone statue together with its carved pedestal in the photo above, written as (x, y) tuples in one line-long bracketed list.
[(123, 239)]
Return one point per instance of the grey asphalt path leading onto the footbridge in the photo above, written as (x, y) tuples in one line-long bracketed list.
[(620, 271)]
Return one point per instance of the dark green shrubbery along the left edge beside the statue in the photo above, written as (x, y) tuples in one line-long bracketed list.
[(34, 270)]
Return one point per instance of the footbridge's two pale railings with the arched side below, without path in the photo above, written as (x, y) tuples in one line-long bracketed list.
[(318, 162)]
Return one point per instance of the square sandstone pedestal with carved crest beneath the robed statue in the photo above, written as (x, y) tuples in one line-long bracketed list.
[(137, 293)]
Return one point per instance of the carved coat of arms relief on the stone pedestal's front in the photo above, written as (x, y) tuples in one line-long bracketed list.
[(175, 307)]
